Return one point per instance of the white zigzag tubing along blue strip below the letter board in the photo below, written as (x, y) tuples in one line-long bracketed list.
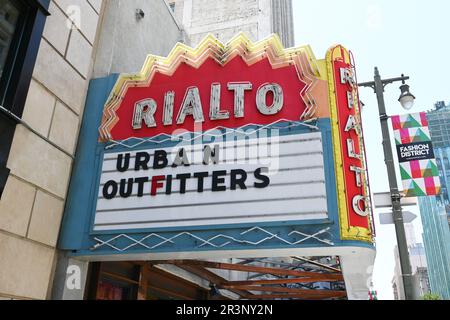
[(212, 241)]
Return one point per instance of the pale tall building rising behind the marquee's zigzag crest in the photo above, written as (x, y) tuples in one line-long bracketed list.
[(224, 19)]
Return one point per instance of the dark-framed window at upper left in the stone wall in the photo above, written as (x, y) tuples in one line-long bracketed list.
[(21, 26)]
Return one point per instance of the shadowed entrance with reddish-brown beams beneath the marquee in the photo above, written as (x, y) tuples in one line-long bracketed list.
[(248, 279)]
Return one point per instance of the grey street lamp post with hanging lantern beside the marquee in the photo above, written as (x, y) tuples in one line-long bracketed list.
[(406, 99)]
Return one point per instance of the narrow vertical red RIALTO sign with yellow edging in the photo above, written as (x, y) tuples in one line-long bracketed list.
[(352, 183)]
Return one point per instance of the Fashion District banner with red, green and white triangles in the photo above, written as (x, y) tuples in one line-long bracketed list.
[(418, 166)]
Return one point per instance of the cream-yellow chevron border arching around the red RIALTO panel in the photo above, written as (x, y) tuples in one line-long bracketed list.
[(270, 48)]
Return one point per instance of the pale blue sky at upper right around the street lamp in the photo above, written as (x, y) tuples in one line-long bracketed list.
[(410, 37)]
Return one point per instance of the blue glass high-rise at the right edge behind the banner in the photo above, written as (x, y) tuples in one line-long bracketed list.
[(435, 210)]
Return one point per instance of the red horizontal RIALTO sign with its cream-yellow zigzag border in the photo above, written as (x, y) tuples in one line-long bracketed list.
[(223, 88)]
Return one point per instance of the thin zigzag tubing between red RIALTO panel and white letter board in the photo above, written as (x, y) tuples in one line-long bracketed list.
[(162, 138)]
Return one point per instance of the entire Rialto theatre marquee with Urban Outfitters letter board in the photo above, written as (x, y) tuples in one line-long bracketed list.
[(236, 146)]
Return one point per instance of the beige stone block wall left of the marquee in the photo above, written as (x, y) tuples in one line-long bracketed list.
[(32, 205)]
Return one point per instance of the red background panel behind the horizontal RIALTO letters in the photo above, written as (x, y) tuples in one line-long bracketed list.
[(212, 73)]
